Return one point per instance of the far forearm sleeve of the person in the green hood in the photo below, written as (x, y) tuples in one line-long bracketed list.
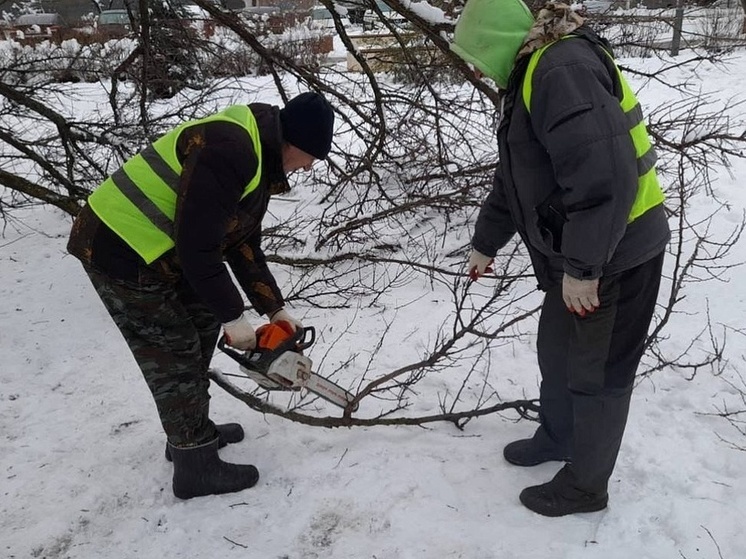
[(495, 226)]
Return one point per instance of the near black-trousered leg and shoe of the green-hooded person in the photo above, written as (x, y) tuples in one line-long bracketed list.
[(605, 350)]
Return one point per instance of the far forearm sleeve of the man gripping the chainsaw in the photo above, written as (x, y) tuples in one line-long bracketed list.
[(249, 265)]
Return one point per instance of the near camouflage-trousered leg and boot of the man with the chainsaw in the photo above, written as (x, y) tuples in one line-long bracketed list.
[(167, 346)]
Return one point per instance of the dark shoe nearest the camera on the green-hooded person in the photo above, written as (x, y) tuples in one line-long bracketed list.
[(560, 497)]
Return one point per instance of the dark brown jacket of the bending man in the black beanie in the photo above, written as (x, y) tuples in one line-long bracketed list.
[(212, 223)]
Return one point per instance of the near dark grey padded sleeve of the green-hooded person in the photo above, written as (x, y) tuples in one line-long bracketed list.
[(579, 121)]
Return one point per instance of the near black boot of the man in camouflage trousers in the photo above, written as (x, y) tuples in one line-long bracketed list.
[(199, 471)]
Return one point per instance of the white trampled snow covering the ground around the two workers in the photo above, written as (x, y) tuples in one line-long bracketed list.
[(81, 450)]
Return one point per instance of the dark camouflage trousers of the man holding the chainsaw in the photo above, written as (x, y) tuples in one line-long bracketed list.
[(172, 336)]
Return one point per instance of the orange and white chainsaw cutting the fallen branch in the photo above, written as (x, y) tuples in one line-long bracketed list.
[(278, 363)]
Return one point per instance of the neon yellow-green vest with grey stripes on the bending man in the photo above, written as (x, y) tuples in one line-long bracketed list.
[(138, 201)]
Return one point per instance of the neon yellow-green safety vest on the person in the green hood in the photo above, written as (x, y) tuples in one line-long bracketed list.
[(649, 193)]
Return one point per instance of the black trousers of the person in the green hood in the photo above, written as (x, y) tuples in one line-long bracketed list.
[(588, 366)]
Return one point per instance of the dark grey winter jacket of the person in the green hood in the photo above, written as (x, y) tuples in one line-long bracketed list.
[(567, 176)]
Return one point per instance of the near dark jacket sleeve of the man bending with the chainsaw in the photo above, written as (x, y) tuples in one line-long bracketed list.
[(218, 162)]
